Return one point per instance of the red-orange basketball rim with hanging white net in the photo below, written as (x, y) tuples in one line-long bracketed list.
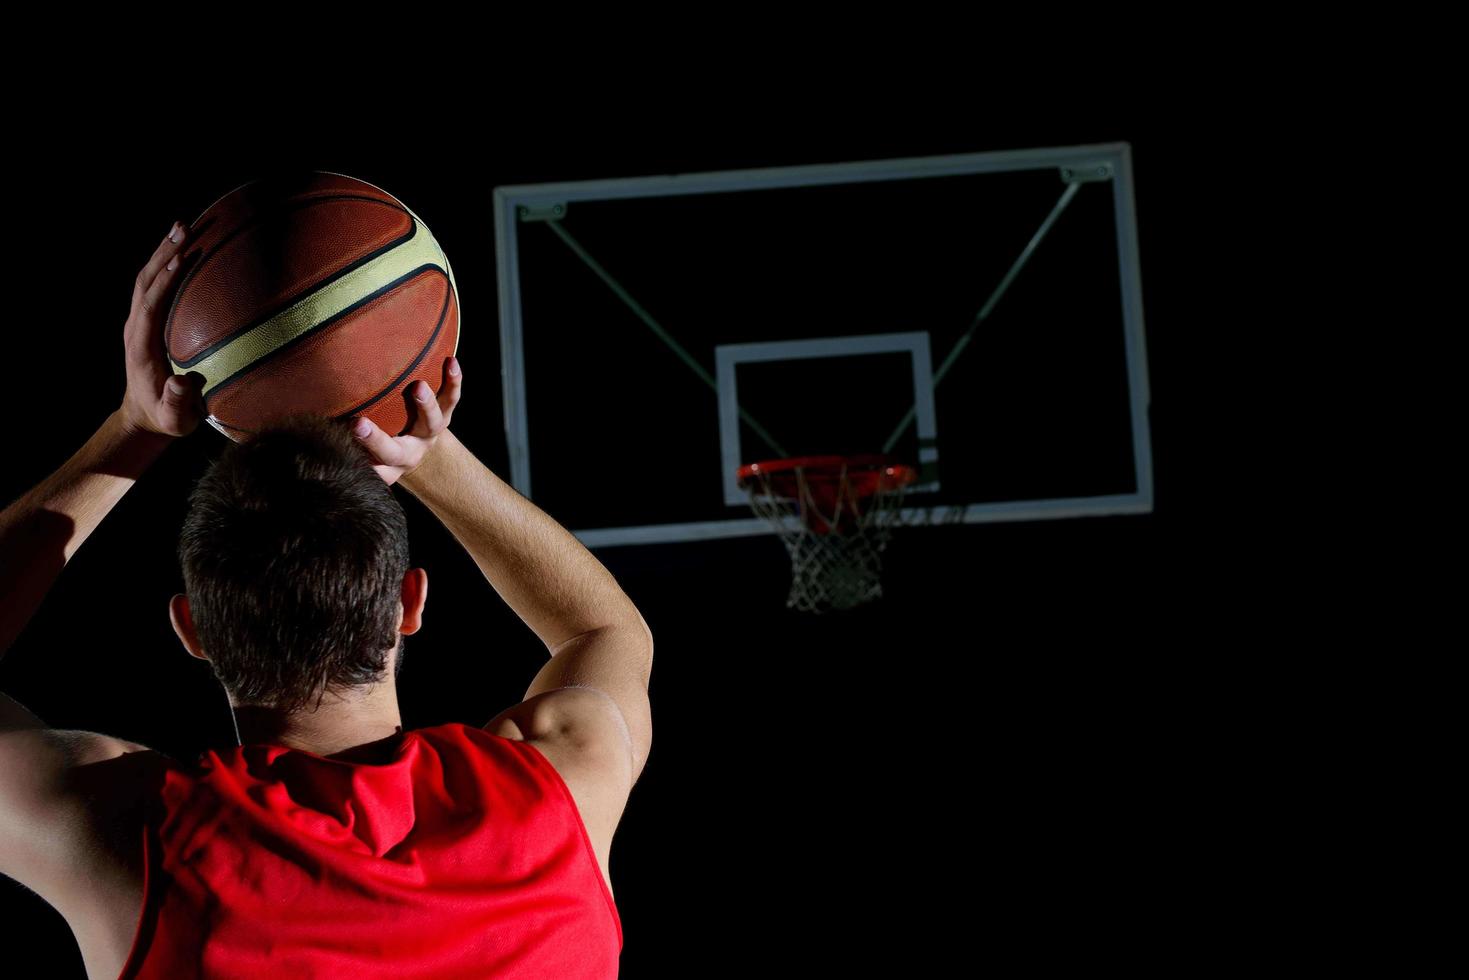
[(835, 516)]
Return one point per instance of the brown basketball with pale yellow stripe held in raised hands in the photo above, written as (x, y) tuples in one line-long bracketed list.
[(317, 293)]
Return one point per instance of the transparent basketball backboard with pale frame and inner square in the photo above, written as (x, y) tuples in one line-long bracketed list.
[(978, 317)]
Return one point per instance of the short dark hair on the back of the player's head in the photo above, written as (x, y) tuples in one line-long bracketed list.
[(295, 553)]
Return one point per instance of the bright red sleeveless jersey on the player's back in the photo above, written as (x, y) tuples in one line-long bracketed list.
[(462, 857)]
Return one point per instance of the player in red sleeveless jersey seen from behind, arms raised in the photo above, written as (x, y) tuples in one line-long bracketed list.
[(330, 843)]
